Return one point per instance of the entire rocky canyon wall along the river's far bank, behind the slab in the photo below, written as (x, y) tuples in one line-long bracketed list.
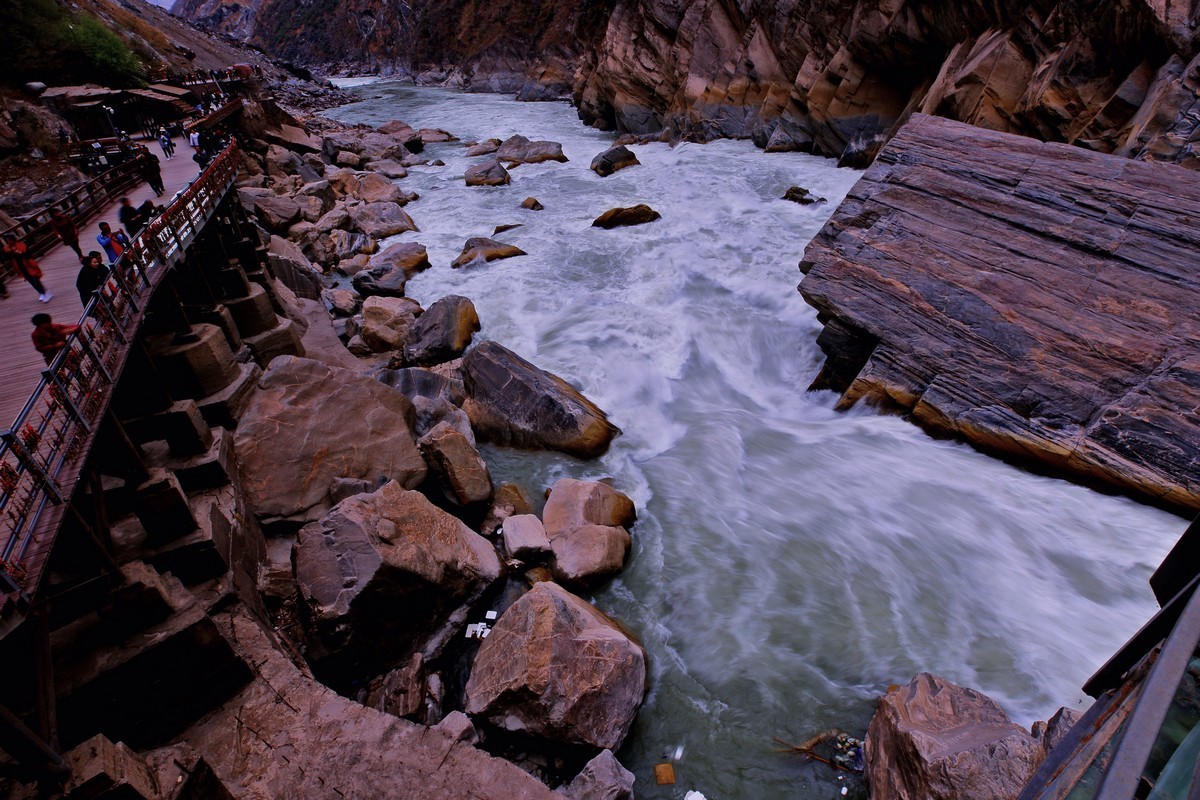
[(838, 80)]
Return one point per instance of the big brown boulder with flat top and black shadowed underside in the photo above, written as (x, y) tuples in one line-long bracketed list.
[(383, 573)]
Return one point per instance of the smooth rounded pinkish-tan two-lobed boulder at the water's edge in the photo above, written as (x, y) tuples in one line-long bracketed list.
[(587, 525)]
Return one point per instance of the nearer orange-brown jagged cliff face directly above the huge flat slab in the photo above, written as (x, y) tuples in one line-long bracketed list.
[(838, 79)]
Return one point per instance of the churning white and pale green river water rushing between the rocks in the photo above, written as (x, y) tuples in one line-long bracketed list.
[(789, 562)]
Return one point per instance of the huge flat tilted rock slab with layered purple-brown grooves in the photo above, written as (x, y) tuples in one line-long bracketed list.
[(1036, 300)]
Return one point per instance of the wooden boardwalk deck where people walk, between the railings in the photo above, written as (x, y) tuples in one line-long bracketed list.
[(22, 365)]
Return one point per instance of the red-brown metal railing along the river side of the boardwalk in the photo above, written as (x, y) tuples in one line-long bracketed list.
[(43, 453)]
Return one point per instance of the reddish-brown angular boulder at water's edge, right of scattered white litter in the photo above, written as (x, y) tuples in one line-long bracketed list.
[(557, 669)]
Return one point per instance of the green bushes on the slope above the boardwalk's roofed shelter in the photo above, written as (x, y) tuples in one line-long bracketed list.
[(46, 44)]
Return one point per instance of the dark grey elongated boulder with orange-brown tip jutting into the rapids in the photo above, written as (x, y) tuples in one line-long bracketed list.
[(513, 402)]
